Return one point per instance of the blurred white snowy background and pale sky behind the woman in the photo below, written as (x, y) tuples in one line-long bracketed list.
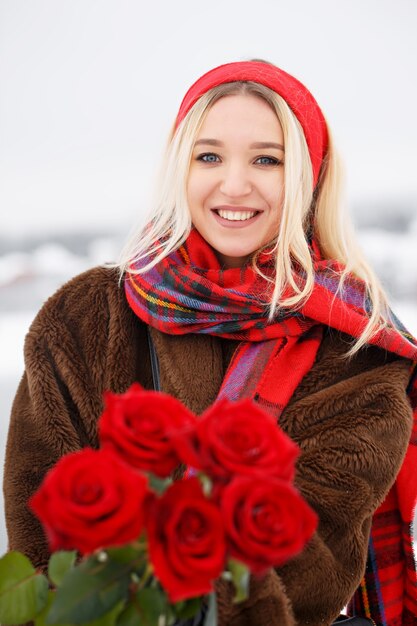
[(90, 89)]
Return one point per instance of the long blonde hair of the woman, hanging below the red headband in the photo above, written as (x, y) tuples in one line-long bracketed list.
[(304, 212)]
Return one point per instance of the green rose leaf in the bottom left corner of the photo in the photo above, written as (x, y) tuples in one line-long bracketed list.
[(23, 592)]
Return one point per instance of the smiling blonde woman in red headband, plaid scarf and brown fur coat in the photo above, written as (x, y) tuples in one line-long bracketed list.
[(246, 282)]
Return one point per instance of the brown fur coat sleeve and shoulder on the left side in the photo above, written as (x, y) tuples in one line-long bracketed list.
[(80, 343)]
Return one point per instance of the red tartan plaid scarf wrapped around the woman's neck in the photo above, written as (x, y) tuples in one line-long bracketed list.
[(179, 295)]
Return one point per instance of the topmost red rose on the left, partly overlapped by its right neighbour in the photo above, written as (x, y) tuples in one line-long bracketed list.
[(140, 426)]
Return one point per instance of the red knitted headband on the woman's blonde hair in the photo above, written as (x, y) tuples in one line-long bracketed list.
[(298, 98)]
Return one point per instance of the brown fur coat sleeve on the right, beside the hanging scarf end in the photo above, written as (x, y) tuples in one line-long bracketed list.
[(353, 437)]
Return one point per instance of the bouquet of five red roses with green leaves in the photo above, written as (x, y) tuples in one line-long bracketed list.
[(130, 545)]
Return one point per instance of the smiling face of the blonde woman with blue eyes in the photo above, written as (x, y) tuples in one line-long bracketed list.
[(235, 184)]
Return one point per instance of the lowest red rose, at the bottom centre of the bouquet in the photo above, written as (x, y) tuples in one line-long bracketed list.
[(186, 540)]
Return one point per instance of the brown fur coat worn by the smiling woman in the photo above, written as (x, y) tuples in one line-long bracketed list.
[(352, 419)]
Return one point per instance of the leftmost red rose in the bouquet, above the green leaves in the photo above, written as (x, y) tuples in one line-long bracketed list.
[(90, 499)]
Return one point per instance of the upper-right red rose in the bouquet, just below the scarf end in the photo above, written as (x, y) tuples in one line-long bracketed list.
[(239, 438)]
